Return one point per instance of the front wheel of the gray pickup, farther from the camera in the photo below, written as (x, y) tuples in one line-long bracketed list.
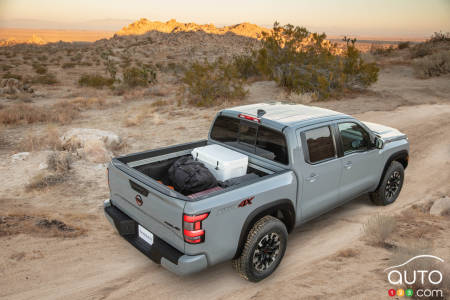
[(390, 186)]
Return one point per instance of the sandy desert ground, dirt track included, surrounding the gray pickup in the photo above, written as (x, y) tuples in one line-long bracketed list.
[(56, 243)]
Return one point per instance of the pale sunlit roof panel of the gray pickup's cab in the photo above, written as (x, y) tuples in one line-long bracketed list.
[(285, 114)]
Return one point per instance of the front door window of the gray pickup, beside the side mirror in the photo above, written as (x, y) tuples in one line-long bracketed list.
[(353, 137)]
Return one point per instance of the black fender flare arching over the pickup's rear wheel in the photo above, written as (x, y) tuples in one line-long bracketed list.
[(285, 205)]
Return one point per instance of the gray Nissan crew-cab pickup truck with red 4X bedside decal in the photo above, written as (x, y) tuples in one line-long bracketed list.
[(308, 160)]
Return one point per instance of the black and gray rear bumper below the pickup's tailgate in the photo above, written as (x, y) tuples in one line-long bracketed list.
[(160, 252)]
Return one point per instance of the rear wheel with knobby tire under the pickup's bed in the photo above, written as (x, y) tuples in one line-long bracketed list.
[(263, 250)]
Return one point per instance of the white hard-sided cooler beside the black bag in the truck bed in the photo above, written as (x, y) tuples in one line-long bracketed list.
[(222, 162)]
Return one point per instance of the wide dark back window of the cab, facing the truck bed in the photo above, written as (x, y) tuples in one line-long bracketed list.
[(251, 137)]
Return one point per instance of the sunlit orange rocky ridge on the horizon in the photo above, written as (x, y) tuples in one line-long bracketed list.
[(143, 26)]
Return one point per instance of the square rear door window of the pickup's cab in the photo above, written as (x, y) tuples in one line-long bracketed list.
[(320, 144)]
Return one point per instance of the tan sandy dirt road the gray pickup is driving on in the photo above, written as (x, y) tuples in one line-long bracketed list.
[(102, 265)]
